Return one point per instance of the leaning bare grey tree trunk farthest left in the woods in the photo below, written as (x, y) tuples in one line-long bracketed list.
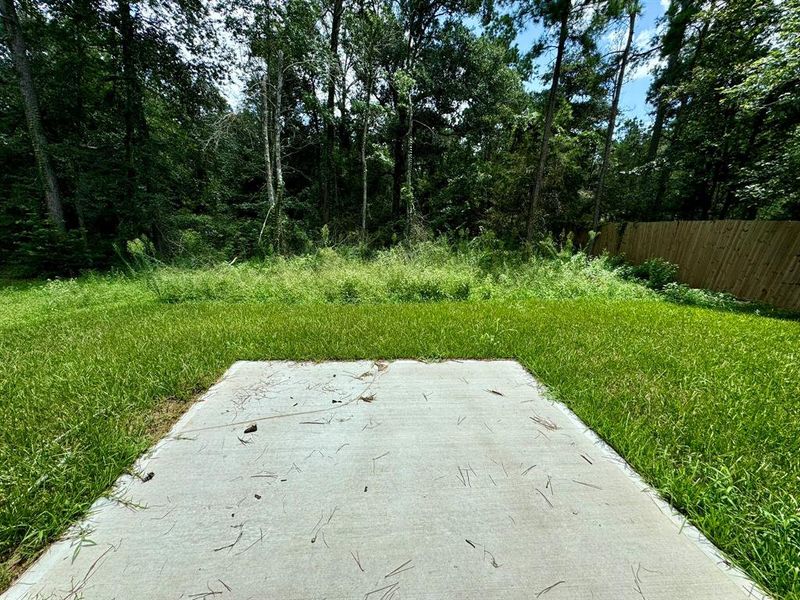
[(19, 52)]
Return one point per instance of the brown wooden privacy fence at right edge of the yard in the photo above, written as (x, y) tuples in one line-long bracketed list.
[(754, 260)]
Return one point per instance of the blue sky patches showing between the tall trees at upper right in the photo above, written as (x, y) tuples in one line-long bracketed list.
[(633, 101)]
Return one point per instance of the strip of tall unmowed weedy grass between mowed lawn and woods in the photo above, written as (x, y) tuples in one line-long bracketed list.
[(425, 273)]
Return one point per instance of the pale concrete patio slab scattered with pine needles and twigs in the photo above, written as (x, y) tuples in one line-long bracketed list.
[(381, 481)]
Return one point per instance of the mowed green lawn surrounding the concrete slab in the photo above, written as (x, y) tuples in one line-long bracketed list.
[(704, 404)]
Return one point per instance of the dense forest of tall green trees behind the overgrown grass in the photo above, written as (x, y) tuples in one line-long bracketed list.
[(377, 121)]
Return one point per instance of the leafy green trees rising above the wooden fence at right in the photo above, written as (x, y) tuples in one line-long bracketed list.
[(725, 142)]
